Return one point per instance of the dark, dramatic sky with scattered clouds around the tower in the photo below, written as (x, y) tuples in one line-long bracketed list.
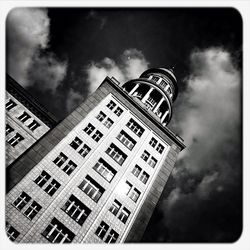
[(61, 55)]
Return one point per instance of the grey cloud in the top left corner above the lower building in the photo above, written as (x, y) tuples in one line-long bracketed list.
[(28, 60)]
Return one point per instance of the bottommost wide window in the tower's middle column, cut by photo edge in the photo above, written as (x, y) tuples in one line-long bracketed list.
[(56, 232)]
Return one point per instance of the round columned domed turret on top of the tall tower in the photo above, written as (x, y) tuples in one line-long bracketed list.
[(156, 89)]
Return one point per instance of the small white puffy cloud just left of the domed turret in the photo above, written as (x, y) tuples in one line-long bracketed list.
[(132, 63)]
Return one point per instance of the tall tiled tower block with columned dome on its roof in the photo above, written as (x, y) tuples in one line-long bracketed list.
[(98, 175)]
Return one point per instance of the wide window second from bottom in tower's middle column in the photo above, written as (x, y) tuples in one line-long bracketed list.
[(76, 210)]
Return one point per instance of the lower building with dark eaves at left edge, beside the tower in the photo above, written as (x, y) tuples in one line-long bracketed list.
[(26, 120)]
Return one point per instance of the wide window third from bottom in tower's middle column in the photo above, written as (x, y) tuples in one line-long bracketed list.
[(91, 188)]
